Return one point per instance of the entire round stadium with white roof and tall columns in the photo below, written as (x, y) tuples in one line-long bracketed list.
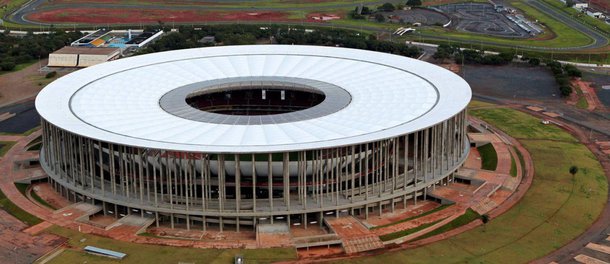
[(234, 136)]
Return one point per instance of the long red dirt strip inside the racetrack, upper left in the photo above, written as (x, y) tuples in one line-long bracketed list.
[(113, 16)]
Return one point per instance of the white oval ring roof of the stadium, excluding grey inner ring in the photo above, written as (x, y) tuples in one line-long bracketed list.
[(118, 101)]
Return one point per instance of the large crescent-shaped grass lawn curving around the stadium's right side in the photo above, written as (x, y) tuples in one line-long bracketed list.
[(556, 209)]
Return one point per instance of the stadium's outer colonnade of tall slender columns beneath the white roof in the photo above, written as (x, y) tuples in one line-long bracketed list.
[(243, 189)]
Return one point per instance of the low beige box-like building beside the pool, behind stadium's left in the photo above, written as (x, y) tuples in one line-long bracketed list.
[(82, 56)]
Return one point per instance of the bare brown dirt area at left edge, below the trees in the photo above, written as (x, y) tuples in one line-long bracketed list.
[(20, 85)]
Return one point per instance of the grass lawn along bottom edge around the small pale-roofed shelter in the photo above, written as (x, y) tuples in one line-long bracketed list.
[(139, 253)]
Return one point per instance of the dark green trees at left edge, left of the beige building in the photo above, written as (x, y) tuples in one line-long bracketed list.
[(15, 50)]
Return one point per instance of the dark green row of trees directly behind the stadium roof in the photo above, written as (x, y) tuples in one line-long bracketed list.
[(187, 37)]
